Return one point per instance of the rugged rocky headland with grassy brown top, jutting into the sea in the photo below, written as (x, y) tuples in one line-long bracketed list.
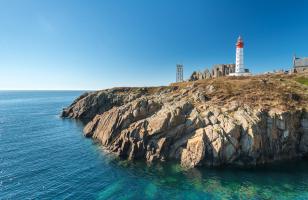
[(240, 121)]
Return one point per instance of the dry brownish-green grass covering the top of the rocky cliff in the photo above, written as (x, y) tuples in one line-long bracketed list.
[(264, 91)]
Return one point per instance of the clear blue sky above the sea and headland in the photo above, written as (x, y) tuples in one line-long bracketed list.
[(80, 44)]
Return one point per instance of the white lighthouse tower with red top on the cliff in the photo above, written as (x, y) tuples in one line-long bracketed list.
[(239, 60)]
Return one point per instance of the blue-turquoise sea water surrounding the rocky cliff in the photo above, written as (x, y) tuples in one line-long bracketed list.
[(45, 157)]
